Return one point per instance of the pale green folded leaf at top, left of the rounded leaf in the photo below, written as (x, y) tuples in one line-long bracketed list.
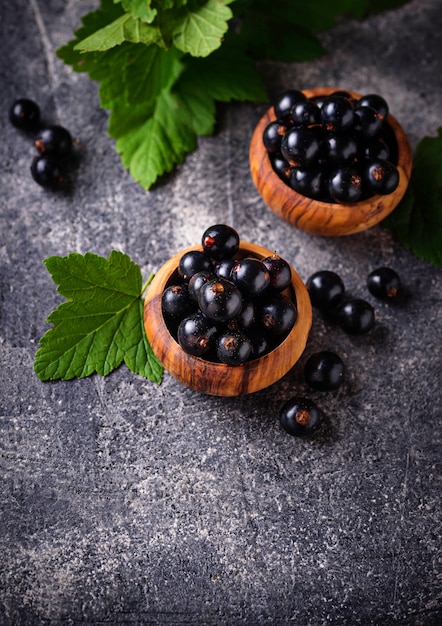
[(124, 28)]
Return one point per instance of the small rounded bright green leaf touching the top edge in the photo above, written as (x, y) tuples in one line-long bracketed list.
[(200, 31)]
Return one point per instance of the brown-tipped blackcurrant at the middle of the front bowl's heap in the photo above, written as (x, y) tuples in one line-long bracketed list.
[(220, 300)]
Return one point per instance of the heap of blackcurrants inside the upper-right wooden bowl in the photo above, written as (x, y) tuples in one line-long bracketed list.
[(334, 148)]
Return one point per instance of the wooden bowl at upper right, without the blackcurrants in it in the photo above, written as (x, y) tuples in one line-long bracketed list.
[(325, 218)]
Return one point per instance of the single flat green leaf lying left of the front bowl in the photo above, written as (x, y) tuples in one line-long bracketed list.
[(100, 325)]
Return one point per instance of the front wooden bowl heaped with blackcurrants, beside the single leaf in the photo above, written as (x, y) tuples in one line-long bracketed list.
[(227, 317)]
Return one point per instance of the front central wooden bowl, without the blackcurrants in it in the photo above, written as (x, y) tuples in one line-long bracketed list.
[(217, 378)]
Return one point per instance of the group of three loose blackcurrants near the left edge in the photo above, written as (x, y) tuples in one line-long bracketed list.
[(50, 168)]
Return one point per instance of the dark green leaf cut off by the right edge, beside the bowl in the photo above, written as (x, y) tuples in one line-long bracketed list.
[(417, 220)]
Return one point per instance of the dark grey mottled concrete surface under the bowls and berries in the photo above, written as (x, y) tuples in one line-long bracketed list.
[(124, 502)]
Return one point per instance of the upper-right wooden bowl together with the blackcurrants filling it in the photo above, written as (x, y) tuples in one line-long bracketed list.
[(330, 162)]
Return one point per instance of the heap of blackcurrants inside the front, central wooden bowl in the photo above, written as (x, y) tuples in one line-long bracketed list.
[(225, 307)]
